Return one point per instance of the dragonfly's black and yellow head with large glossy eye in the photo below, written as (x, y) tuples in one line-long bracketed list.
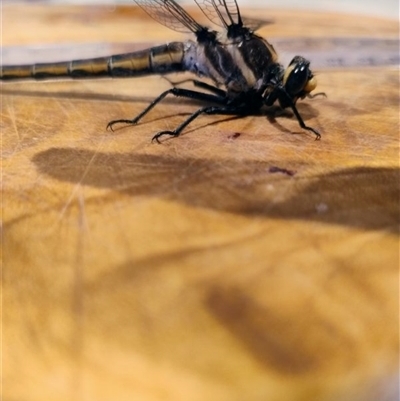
[(298, 80)]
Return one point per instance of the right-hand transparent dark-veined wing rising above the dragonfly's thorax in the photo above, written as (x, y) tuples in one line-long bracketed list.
[(223, 13)]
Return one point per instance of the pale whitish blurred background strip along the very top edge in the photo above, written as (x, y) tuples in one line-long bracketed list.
[(383, 8)]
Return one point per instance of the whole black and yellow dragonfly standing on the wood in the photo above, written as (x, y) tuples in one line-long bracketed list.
[(242, 66)]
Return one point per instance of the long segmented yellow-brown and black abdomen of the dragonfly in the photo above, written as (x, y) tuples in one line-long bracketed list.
[(157, 60)]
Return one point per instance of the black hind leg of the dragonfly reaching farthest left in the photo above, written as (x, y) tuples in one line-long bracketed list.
[(178, 92)]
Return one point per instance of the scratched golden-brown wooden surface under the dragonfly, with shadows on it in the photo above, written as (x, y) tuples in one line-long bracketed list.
[(216, 266)]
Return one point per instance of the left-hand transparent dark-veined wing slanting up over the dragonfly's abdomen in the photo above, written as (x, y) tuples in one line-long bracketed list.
[(170, 14)]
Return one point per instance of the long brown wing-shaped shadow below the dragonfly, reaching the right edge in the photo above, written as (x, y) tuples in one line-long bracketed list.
[(363, 197)]
